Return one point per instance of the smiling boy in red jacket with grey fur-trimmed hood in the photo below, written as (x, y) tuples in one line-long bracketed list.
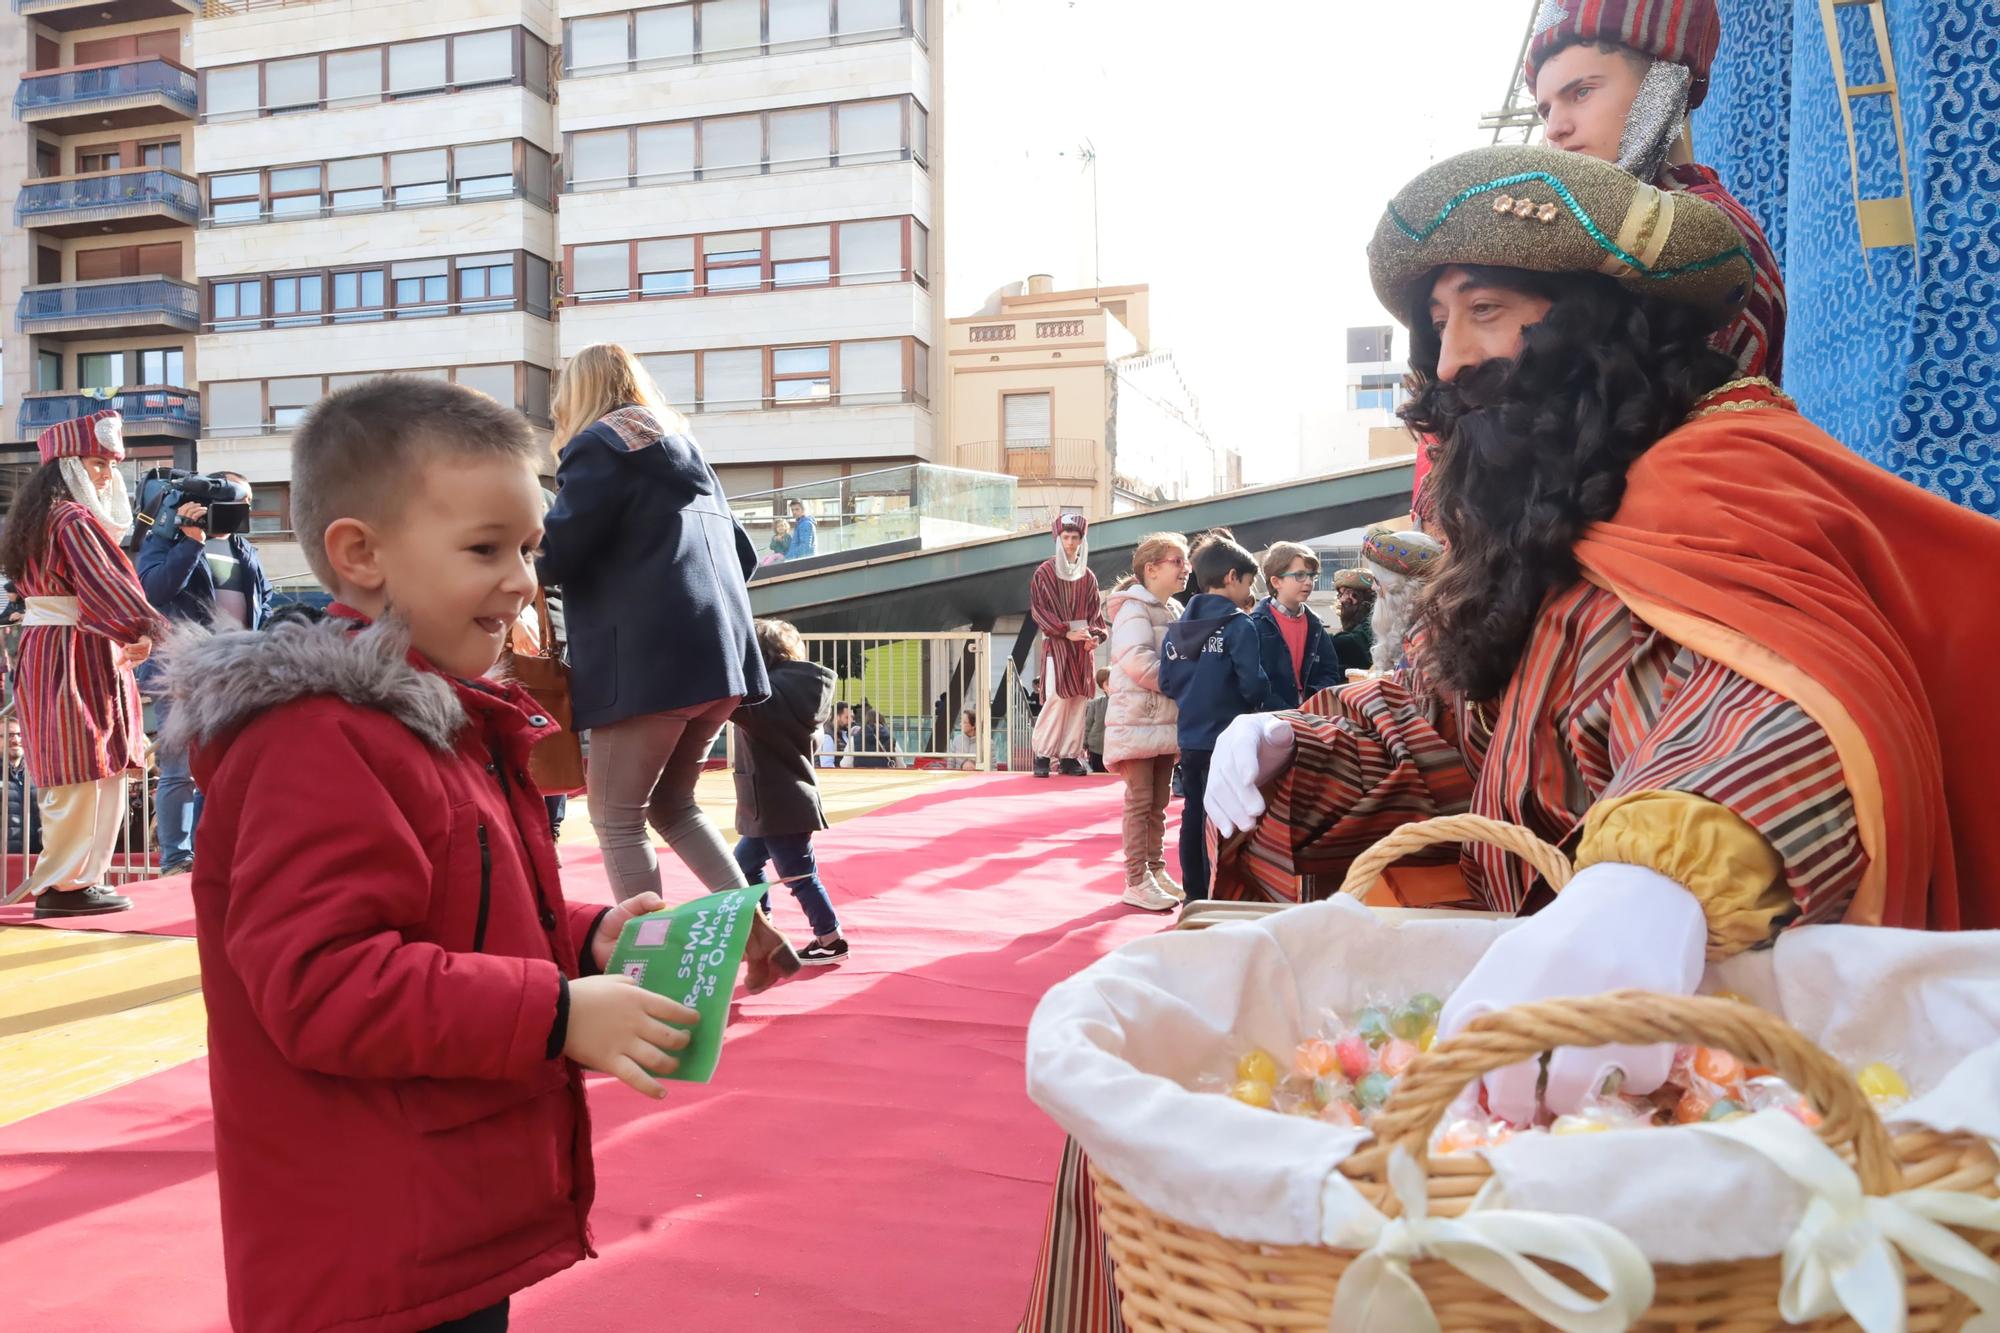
[(399, 998)]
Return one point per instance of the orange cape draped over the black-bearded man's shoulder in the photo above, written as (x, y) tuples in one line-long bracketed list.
[(1757, 539)]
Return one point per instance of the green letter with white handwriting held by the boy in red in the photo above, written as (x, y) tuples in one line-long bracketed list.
[(691, 954)]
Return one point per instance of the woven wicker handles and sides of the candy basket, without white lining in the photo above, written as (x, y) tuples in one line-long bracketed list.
[(1183, 1280)]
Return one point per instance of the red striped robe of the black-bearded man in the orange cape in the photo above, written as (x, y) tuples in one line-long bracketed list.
[(1601, 708)]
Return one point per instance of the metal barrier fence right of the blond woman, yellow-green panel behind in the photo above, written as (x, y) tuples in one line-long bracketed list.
[(909, 696)]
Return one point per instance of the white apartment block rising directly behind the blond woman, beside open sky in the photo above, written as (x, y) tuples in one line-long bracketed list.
[(751, 203)]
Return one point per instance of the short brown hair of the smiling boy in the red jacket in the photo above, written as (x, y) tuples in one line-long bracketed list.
[(359, 453)]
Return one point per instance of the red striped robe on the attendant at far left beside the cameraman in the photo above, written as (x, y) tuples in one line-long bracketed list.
[(81, 716)]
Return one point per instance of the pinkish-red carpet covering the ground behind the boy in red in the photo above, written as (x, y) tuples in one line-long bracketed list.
[(865, 1162)]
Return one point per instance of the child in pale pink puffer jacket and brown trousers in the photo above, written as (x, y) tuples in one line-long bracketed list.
[(1141, 742)]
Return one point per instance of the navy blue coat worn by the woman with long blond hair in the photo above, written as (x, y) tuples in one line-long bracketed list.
[(655, 575)]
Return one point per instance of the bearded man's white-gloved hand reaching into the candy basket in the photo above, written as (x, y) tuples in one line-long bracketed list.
[(1615, 928)]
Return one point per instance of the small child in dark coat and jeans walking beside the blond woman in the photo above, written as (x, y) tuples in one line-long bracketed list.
[(777, 796)]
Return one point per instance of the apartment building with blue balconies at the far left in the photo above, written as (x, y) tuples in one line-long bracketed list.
[(99, 235)]
